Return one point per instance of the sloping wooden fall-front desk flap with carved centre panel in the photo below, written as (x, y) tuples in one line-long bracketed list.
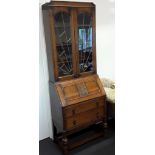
[(79, 90)]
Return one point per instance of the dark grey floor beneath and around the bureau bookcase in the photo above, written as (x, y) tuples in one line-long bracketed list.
[(102, 146)]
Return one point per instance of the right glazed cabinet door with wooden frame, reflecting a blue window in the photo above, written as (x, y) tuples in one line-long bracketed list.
[(85, 41)]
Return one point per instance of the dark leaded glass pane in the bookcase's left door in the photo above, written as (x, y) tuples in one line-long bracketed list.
[(63, 43)]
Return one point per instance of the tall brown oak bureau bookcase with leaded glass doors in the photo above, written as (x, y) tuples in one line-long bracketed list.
[(76, 93)]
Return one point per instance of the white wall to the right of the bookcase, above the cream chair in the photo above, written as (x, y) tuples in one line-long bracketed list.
[(105, 37)]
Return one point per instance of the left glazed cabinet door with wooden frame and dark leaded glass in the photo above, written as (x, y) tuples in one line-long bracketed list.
[(63, 38)]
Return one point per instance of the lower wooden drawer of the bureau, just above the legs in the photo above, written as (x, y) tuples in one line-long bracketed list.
[(84, 118)]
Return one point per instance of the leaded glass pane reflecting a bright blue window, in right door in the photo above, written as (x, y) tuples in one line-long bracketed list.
[(85, 42)]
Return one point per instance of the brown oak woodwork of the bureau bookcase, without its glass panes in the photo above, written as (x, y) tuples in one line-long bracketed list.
[(77, 99)]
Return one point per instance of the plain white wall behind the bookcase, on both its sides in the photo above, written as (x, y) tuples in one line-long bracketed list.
[(105, 58)]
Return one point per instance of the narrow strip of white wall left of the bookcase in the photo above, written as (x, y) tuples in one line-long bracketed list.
[(45, 120)]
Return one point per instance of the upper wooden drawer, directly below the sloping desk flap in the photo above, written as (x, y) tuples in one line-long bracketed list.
[(83, 107)]
